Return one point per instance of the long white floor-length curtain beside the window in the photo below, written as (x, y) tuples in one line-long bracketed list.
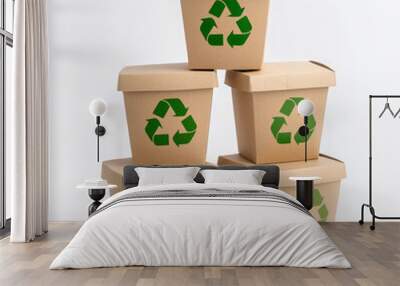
[(28, 160)]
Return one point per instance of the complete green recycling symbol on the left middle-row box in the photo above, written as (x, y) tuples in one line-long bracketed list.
[(160, 111)]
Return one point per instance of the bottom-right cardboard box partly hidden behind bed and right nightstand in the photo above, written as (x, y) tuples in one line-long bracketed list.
[(326, 191)]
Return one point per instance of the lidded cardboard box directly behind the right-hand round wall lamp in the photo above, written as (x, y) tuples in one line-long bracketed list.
[(266, 116)]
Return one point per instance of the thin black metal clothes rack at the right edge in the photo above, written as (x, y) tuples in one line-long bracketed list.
[(370, 204)]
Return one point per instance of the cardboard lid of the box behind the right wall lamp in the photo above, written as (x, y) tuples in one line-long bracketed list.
[(282, 76)]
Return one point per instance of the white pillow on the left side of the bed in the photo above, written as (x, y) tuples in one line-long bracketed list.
[(166, 176)]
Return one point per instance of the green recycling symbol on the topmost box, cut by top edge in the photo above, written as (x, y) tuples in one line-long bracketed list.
[(236, 11)]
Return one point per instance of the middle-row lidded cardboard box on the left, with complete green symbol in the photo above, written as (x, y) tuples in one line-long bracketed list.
[(168, 112)]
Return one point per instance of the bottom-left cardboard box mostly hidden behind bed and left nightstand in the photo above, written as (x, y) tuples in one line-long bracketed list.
[(113, 172)]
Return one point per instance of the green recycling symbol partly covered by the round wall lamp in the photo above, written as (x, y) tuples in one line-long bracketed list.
[(279, 122)]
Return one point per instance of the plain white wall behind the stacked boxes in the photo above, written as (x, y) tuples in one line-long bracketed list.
[(91, 40)]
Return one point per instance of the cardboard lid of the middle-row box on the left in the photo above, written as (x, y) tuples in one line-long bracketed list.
[(165, 77)]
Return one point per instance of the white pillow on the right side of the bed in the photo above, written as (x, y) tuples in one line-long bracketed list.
[(246, 177)]
